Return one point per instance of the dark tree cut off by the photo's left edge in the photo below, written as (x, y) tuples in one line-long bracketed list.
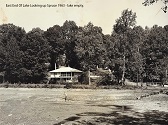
[(10, 54)]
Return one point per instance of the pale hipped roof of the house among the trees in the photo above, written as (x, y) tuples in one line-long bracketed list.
[(65, 69)]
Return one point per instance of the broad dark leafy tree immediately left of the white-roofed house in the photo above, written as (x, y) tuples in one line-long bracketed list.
[(36, 53)]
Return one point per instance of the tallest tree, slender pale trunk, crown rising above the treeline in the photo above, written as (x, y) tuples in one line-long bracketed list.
[(121, 29)]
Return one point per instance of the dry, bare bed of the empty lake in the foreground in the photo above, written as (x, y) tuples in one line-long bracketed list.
[(21, 106)]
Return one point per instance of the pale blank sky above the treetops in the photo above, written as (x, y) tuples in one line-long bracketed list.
[(101, 13)]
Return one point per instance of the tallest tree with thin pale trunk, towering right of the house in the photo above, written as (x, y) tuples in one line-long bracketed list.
[(123, 46)]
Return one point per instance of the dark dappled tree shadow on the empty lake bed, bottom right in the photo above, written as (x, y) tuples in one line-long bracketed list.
[(119, 117)]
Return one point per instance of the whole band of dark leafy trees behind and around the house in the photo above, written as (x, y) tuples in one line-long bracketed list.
[(130, 51)]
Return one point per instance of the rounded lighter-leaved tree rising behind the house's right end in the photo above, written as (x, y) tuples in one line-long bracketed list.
[(89, 48)]
